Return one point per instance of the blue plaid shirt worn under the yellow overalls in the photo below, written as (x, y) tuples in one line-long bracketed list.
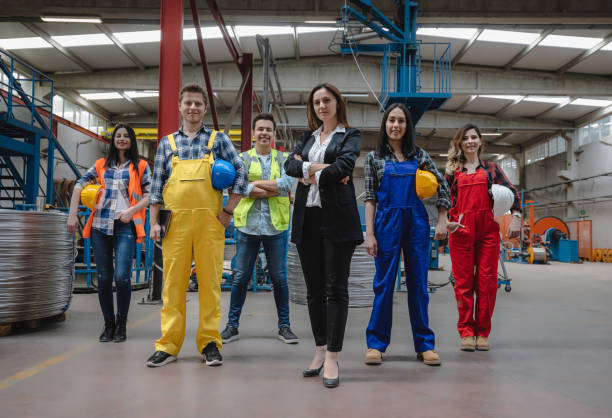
[(191, 149)]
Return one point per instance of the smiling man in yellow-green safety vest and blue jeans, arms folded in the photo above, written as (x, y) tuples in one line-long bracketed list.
[(262, 217)]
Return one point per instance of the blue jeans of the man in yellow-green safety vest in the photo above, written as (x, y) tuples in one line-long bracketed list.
[(247, 248)]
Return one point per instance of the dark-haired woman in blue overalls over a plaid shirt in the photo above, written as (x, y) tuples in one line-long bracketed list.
[(401, 224)]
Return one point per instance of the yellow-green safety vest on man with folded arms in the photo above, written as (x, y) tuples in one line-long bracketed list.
[(279, 205)]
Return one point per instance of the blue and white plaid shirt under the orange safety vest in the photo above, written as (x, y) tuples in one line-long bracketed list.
[(116, 181)]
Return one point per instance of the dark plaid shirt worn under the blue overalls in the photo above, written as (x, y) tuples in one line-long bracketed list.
[(374, 169)]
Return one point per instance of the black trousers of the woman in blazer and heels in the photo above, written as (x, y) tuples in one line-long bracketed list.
[(326, 266)]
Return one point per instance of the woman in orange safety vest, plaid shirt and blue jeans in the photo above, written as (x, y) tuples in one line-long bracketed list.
[(113, 224)]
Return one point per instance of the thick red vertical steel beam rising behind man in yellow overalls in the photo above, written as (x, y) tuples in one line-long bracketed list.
[(170, 66)]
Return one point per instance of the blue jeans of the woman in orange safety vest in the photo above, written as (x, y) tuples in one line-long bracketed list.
[(123, 243)]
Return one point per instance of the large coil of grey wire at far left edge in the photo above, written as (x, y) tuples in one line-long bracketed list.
[(36, 265)]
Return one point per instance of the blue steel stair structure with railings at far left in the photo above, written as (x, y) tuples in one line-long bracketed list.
[(21, 130)]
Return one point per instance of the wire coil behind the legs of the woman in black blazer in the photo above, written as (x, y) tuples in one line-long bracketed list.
[(361, 294)]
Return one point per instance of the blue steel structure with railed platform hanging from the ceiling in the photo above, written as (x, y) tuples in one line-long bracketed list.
[(402, 55)]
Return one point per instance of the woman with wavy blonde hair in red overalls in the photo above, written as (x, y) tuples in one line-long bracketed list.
[(474, 234)]
